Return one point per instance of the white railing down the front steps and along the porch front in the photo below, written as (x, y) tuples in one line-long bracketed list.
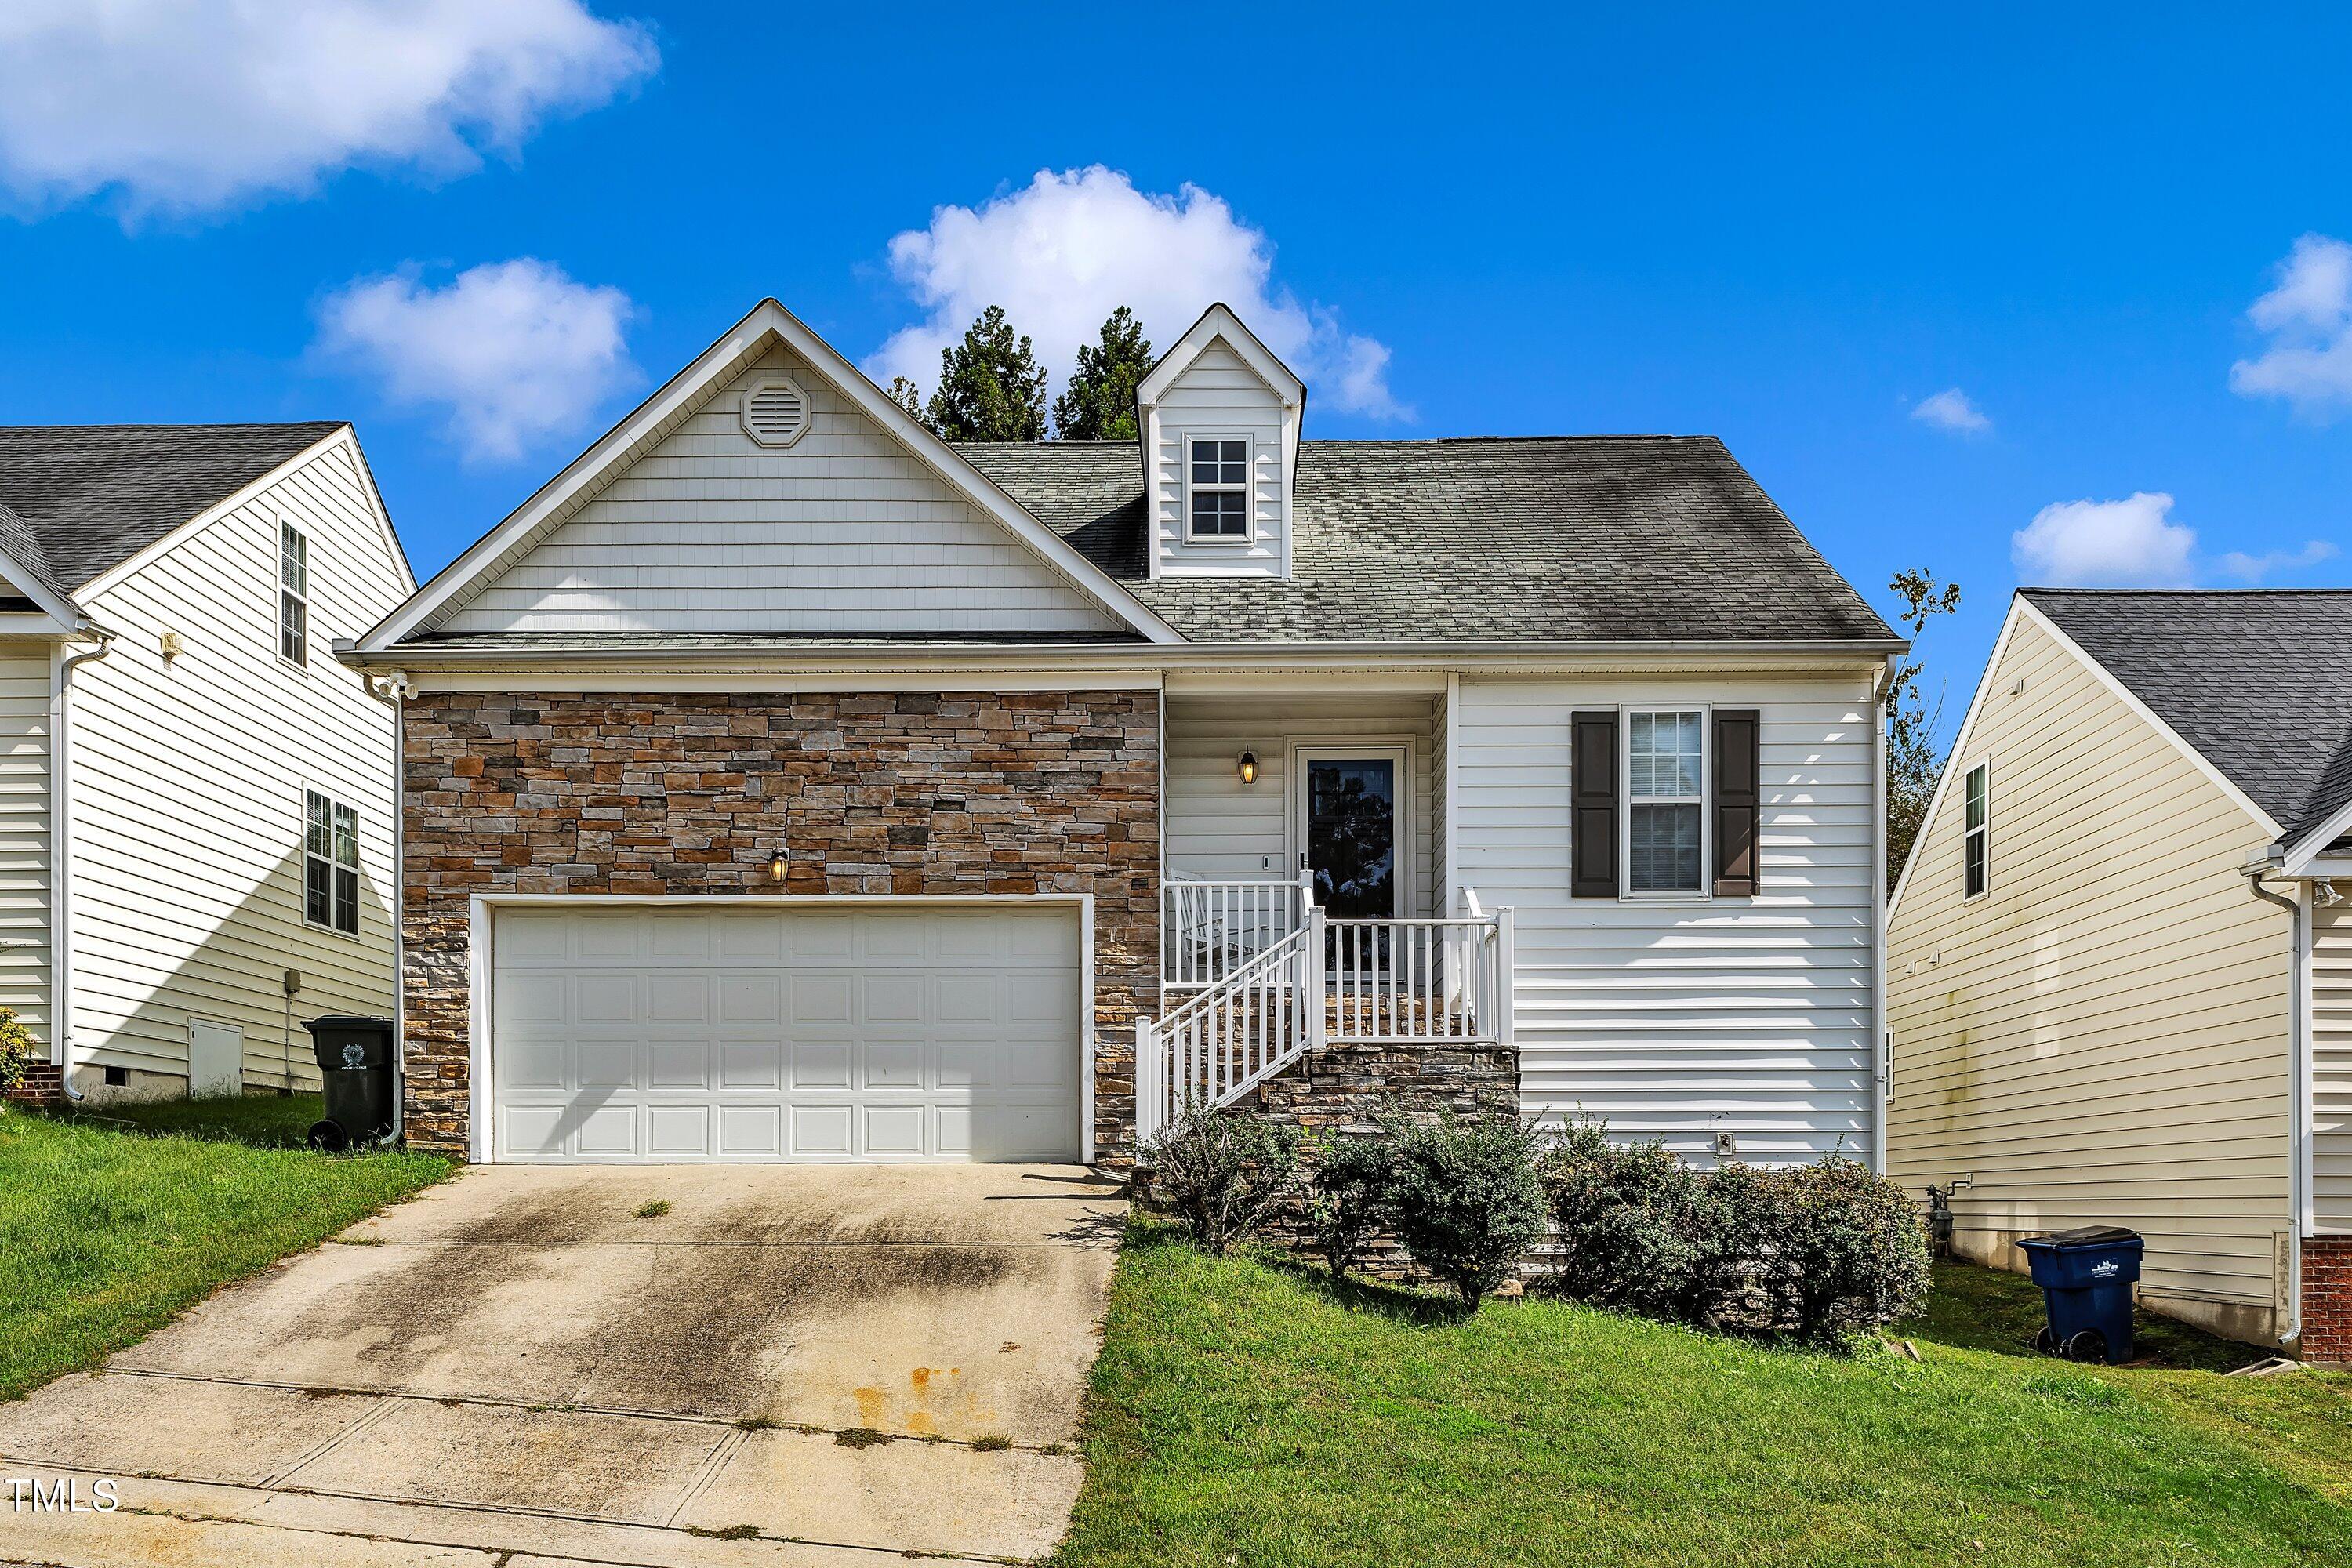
[(1351, 981)]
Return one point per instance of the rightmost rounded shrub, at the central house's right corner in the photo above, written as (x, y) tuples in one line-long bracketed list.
[(1810, 1252)]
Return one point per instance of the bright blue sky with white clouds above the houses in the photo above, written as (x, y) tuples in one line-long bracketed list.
[(486, 232)]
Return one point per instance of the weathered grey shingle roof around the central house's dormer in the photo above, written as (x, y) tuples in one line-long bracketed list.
[(1521, 540)]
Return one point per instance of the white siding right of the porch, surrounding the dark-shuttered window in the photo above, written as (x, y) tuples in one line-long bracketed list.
[(1685, 1019)]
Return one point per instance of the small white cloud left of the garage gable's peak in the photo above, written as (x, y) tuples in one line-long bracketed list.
[(514, 351)]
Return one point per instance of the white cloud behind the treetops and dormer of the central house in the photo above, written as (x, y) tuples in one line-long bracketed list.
[(1071, 248)]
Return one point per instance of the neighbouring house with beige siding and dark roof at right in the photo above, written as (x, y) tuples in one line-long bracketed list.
[(2120, 958)]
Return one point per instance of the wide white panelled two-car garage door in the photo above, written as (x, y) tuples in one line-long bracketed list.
[(787, 1033)]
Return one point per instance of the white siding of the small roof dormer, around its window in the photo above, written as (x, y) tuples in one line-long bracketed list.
[(1220, 396)]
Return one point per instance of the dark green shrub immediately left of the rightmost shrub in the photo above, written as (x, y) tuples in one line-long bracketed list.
[(1629, 1217)]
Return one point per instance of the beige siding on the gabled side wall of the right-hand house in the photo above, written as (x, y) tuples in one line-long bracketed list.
[(2102, 1036)]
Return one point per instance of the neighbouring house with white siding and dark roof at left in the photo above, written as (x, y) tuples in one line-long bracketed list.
[(196, 800)]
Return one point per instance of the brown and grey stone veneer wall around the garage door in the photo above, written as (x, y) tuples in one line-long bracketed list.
[(693, 793)]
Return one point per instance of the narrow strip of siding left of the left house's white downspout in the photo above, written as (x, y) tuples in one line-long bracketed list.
[(25, 833)]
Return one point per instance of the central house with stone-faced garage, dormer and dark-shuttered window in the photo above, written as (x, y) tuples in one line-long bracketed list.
[(787, 784)]
